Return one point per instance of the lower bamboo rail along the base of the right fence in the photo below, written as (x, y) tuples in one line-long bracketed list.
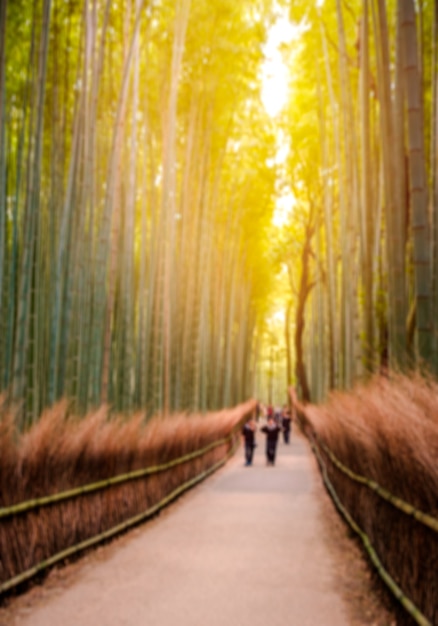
[(408, 605)]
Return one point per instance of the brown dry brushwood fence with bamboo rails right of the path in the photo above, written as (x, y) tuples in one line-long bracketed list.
[(377, 449)]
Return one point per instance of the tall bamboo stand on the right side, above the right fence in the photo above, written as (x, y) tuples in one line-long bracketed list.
[(362, 161)]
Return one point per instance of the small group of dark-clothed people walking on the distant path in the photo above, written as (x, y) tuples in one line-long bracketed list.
[(278, 421)]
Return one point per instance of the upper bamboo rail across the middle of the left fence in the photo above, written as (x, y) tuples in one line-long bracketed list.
[(34, 503)]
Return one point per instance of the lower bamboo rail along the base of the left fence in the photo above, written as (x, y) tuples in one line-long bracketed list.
[(92, 541)]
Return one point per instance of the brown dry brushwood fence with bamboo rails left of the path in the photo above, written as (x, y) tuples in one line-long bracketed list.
[(59, 454)]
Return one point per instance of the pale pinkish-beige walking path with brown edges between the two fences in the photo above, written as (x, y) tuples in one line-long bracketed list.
[(251, 546)]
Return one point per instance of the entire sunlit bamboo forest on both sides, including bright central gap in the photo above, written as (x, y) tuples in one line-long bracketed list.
[(201, 202)]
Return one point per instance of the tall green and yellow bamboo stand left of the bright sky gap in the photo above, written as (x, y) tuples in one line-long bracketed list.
[(148, 262)]
